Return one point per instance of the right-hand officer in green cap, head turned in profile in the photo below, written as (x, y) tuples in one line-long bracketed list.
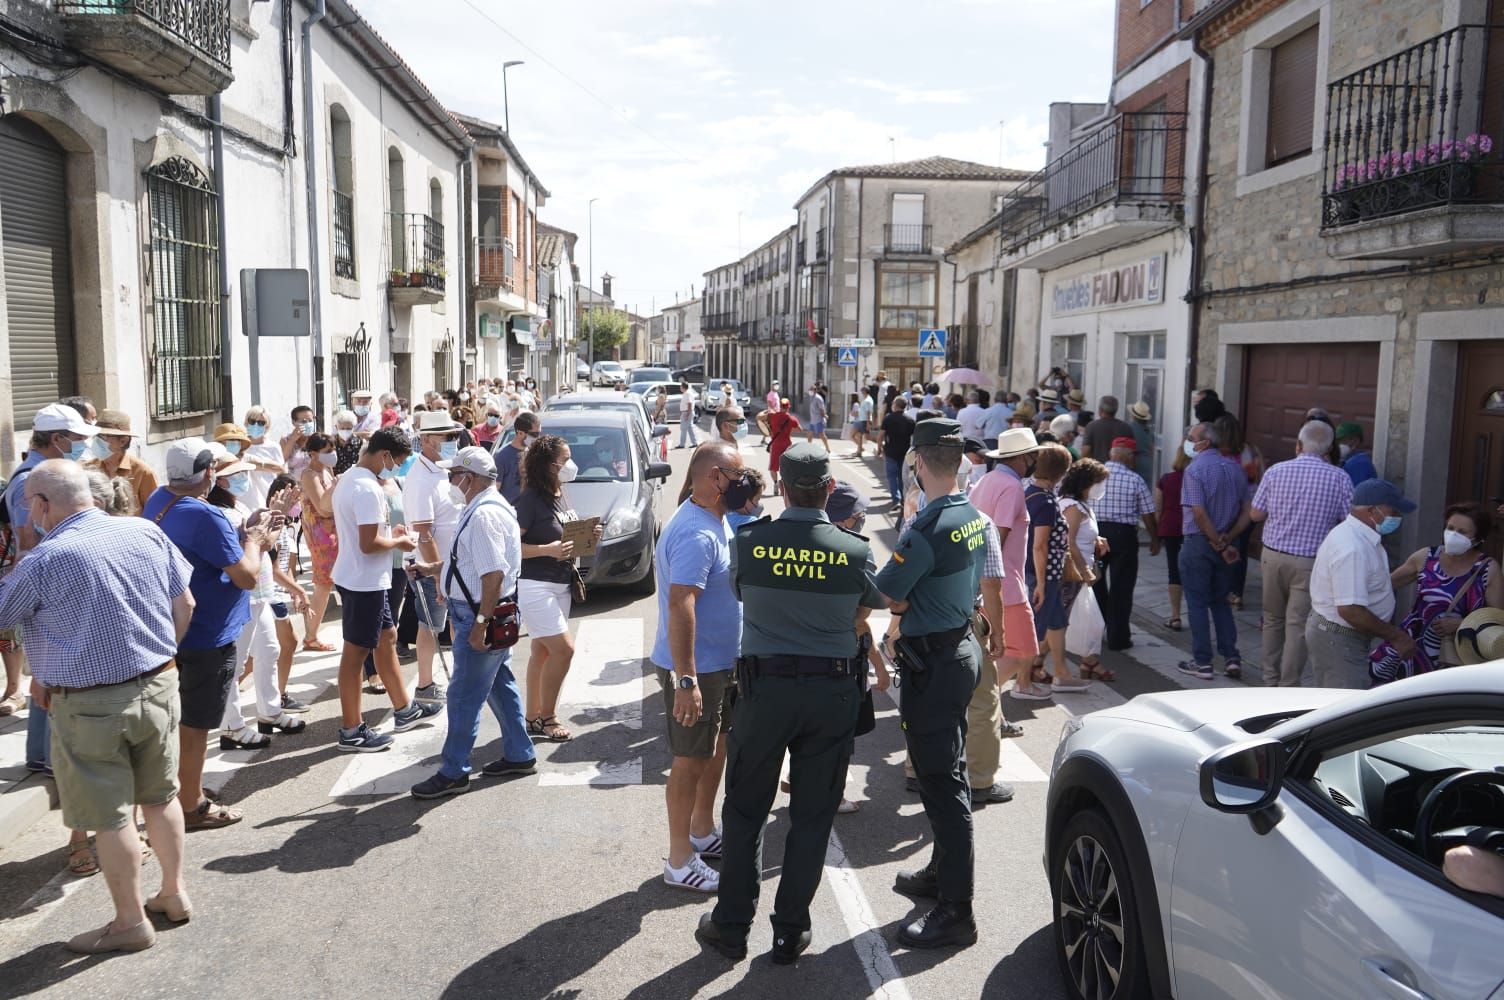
[(933, 583)]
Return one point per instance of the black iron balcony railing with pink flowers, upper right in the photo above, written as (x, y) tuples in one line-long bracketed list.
[(1415, 132)]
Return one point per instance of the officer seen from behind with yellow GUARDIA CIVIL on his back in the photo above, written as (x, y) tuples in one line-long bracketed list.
[(805, 589)]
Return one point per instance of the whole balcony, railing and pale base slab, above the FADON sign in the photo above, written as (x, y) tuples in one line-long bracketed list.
[(1124, 181)]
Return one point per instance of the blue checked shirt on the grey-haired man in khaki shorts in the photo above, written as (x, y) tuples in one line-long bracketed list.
[(96, 601)]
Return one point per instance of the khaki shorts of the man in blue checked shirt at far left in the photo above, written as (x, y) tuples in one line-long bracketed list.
[(115, 748)]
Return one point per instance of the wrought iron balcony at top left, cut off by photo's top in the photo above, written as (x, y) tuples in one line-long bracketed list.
[(175, 46)]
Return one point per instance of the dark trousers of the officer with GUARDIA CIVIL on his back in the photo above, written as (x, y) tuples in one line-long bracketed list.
[(814, 720)]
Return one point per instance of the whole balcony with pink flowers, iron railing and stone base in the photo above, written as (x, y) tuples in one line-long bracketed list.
[(1410, 157)]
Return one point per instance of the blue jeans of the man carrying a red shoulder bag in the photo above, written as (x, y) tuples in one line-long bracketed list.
[(481, 679)]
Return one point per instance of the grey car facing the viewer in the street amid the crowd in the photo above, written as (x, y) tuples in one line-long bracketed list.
[(620, 483)]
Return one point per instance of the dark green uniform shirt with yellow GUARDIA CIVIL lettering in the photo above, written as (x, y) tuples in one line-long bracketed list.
[(801, 581)]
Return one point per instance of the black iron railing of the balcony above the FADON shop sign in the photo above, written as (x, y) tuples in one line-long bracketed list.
[(1133, 159)]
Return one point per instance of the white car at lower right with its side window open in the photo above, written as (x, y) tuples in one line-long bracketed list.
[(1281, 843)]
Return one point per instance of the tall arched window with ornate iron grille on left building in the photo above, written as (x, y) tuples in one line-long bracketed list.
[(186, 354)]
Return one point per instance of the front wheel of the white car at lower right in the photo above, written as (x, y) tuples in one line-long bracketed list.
[(1097, 935)]
